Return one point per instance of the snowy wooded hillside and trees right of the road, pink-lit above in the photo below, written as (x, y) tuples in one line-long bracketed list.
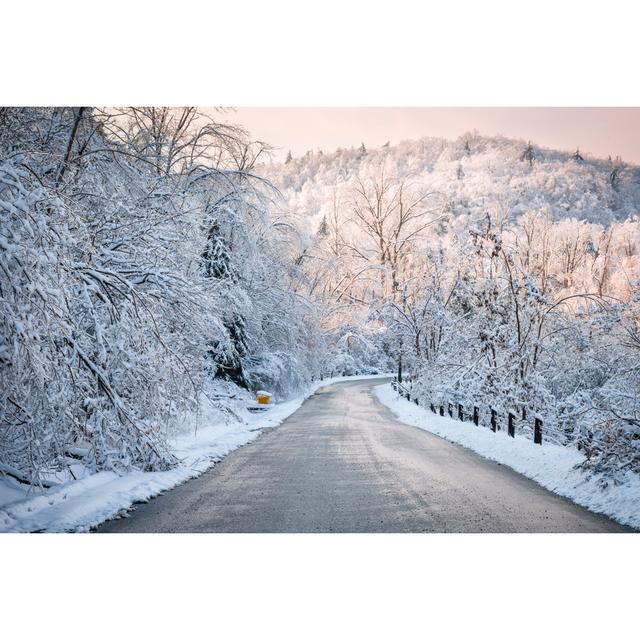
[(497, 273)]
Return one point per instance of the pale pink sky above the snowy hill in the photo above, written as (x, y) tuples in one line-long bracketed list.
[(599, 131)]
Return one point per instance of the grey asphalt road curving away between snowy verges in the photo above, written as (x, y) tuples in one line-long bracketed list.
[(343, 463)]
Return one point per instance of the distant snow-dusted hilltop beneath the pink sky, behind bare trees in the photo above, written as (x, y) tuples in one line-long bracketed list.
[(473, 172)]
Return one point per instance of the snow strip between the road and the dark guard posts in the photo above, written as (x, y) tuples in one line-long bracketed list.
[(551, 466)]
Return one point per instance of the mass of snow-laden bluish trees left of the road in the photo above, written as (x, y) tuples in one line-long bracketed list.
[(136, 245)]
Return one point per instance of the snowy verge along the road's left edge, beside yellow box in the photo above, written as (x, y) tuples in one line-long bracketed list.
[(81, 504)]
